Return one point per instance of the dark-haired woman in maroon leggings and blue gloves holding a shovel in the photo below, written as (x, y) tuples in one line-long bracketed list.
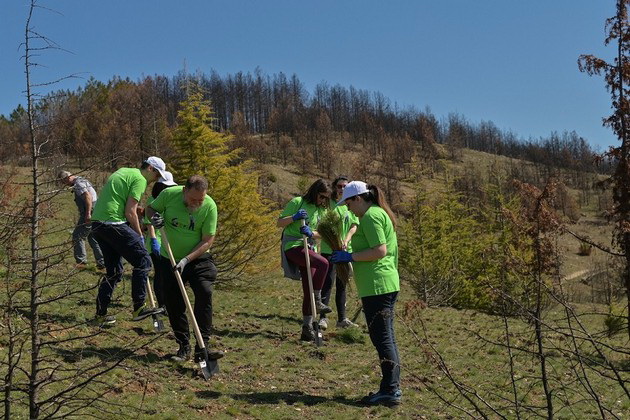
[(310, 206)]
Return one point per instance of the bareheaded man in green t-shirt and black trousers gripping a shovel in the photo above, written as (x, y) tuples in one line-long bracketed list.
[(189, 217)]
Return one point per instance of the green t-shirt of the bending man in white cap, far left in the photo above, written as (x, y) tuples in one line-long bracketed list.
[(122, 184)]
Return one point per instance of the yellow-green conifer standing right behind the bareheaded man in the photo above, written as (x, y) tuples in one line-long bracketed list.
[(246, 230)]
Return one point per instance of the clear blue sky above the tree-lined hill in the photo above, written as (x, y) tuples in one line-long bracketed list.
[(507, 61)]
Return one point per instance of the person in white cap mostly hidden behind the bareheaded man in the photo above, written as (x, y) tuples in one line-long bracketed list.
[(152, 240)]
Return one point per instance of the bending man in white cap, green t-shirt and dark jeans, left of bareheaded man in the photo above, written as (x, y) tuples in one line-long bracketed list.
[(116, 227)]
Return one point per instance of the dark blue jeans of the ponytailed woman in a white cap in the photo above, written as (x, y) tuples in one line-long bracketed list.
[(379, 315)]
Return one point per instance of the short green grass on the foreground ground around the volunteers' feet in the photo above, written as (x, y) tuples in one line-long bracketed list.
[(268, 373)]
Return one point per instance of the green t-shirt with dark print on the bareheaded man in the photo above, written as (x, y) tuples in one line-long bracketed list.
[(183, 228)]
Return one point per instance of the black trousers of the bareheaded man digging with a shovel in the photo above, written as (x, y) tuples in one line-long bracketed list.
[(200, 274)]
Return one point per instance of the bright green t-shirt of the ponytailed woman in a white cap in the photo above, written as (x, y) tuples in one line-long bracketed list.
[(380, 276)]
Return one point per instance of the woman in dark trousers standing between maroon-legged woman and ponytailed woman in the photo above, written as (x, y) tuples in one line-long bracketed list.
[(349, 226)]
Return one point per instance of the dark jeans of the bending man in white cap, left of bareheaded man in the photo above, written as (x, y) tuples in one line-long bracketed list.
[(118, 242)]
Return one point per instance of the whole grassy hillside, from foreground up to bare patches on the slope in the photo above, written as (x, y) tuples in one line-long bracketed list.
[(268, 373)]
